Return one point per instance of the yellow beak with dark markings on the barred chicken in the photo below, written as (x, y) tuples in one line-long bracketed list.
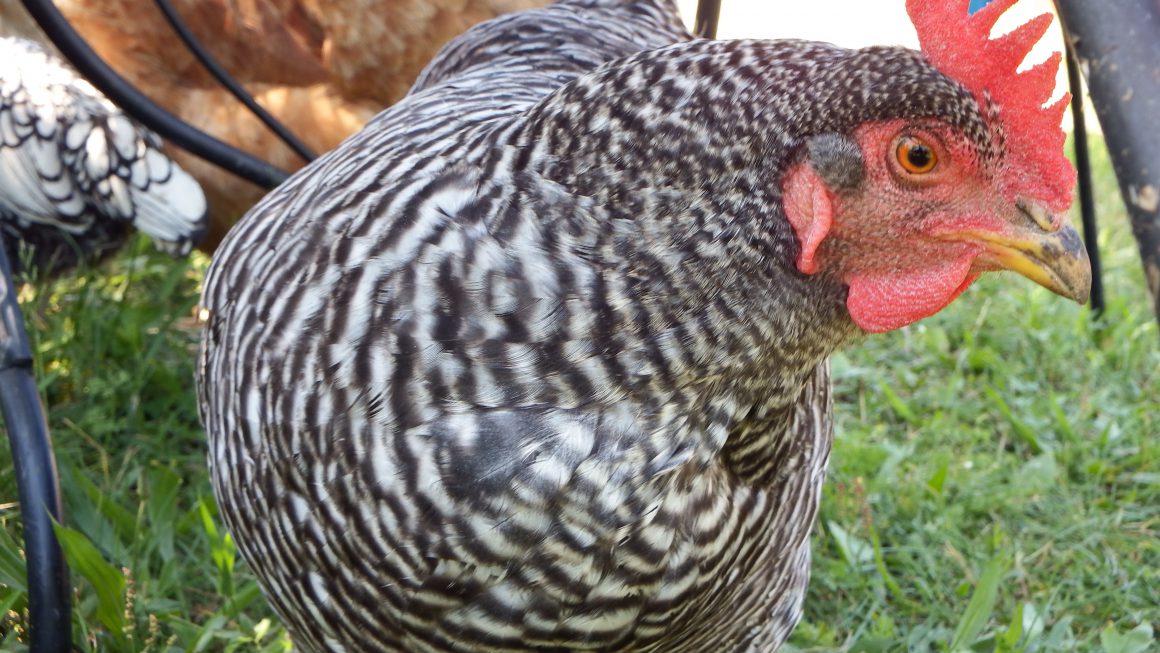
[(1042, 248)]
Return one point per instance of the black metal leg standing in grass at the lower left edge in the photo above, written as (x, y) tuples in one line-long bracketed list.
[(37, 477)]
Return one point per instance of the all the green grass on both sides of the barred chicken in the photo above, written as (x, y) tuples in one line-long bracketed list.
[(995, 488)]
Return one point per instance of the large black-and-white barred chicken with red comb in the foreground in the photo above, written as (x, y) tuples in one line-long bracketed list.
[(538, 360)]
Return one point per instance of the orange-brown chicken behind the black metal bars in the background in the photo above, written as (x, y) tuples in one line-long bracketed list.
[(323, 68)]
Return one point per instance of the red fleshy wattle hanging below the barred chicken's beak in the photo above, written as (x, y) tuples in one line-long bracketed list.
[(889, 300)]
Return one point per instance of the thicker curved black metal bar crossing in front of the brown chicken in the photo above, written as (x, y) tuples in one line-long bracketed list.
[(142, 108)]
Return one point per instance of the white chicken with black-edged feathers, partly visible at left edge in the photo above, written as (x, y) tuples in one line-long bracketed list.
[(76, 175)]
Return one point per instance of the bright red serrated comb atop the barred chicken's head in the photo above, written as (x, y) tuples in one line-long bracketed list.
[(961, 47)]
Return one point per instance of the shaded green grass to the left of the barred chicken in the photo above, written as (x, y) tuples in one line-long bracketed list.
[(153, 568)]
